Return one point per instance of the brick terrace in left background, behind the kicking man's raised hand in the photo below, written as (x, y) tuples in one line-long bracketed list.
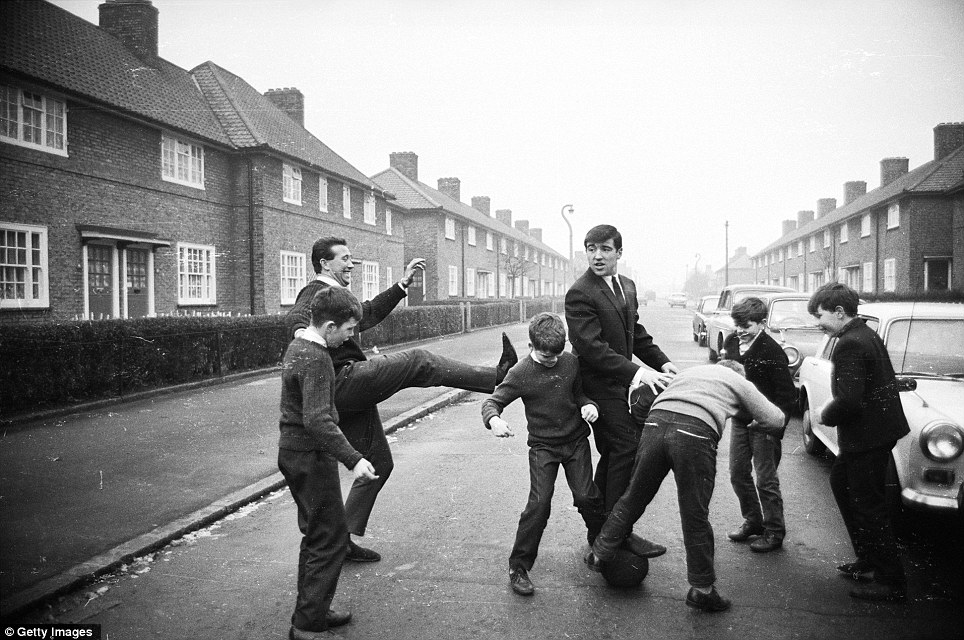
[(470, 254)]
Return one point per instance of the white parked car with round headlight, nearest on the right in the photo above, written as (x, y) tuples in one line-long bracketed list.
[(926, 346)]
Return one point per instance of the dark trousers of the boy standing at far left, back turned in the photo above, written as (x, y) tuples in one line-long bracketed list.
[(316, 488)]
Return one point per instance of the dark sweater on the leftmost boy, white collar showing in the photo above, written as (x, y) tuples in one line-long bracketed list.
[(309, 420)]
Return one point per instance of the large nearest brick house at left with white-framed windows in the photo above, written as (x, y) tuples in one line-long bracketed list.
[(131, 187)]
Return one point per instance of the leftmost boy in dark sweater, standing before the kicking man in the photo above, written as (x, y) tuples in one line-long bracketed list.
[(310, 447)]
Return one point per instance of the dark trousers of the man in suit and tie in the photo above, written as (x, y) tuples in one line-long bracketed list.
[(617, 438)]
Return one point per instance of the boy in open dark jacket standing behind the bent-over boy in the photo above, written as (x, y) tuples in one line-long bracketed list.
[(752, 448)]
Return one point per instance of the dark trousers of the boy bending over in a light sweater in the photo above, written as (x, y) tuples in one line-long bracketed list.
[(687, 447)]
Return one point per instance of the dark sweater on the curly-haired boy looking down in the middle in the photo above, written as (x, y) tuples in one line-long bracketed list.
[(552, 396)]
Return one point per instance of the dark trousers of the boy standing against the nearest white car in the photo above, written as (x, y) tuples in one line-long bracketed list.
[(857, 480)]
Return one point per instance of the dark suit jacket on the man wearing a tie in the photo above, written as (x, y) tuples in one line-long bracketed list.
[(605, 336)]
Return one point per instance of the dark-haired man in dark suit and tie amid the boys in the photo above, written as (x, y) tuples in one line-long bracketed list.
[(603, 317)]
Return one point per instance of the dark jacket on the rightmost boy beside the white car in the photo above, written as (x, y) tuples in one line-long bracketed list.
[(866, 405)]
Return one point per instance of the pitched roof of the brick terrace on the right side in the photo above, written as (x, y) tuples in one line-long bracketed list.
[(936, 176)]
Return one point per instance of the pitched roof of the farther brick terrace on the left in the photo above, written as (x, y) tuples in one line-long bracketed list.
[(416, 195)]
